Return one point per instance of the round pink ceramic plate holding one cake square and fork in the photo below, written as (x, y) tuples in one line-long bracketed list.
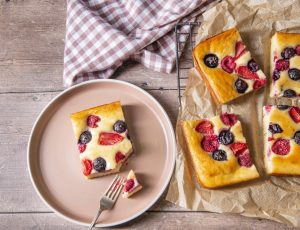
[(53, 159)]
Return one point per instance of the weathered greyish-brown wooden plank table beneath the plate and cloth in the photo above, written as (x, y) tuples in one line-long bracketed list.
[(31, 65)]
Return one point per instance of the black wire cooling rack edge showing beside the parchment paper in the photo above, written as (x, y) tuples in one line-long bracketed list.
[(184, 59)]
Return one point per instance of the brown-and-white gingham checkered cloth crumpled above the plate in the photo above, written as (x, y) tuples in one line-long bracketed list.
[(101, 35)]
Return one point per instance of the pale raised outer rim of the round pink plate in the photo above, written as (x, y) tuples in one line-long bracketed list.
[(65, 91)]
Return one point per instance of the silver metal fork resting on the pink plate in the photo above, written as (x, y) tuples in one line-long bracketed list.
[(109, 198)]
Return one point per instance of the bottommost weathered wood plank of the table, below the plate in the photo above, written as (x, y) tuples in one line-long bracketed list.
[(149, 220)]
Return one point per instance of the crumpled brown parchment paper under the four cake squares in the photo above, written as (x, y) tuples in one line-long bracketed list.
[(275, 198)]
